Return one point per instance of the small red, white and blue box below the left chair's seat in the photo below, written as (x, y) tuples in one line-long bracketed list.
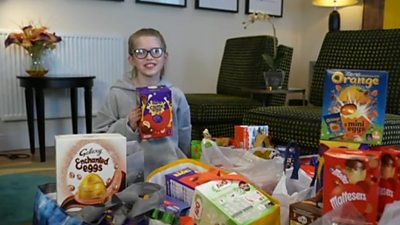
[(250, 137)]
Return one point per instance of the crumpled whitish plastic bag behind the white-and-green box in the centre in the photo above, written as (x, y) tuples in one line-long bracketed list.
[(261, 172)]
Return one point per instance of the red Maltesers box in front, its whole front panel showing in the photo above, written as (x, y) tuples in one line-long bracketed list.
[(352, 177)]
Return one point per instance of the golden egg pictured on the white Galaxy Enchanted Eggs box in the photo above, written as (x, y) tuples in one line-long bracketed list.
[(91, 188)]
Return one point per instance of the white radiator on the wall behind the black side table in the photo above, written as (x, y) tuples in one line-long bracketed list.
[(76, 55)]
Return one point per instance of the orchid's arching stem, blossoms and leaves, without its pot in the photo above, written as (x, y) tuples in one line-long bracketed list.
[(273, 61)]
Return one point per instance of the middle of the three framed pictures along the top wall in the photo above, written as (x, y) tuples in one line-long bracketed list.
[(220, 5)]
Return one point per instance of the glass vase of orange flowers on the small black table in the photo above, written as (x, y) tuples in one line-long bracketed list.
[(35, 40)]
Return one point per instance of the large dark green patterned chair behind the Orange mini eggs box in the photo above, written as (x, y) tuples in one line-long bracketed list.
[(364, 49)]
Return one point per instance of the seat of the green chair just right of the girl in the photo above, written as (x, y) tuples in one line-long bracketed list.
[(206, 108)]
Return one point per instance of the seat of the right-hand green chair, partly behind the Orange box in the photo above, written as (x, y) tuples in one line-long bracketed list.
[(303, 124)]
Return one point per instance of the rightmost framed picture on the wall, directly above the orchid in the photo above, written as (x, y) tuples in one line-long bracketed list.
[(272, 7)]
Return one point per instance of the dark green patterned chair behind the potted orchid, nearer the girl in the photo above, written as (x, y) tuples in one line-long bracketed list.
[(241, 66)]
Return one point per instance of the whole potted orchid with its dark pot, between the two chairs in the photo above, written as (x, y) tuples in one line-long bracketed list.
[(273, 76)]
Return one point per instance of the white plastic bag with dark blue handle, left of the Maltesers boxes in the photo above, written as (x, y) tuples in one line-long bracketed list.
[(293, 188)]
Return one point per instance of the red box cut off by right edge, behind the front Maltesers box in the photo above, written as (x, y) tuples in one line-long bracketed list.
[(389, 184)]
